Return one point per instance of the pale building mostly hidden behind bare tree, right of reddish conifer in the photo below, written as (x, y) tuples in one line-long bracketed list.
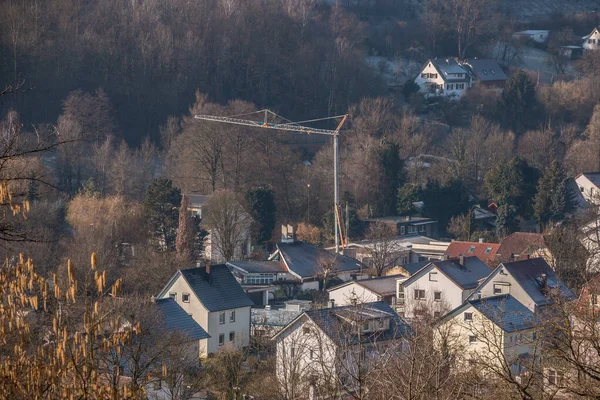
[(211, 252)]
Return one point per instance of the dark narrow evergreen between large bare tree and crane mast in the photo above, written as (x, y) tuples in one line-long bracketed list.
[(261, 203)]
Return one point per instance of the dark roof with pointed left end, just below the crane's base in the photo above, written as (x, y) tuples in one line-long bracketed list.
[(305, 260)]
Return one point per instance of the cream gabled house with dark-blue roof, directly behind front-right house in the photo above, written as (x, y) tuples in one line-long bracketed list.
[(531, 281)]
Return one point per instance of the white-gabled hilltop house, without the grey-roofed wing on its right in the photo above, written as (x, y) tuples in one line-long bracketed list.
[(444, 77)]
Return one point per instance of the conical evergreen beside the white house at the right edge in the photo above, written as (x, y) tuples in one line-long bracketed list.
[(554, 199)]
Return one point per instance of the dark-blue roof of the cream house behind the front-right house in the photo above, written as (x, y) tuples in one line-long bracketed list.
[(528, 273)]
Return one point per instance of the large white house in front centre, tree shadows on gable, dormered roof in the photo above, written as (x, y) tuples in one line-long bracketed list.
[(334, 345)]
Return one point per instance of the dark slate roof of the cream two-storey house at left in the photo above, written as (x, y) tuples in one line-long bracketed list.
[(219, 291)]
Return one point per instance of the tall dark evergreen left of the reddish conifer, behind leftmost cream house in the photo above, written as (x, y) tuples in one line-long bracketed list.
[(161, 209)]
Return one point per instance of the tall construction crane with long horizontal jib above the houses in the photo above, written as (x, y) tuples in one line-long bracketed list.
[(295, 127)]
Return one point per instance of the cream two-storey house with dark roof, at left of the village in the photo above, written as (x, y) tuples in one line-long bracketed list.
[(216, 301)]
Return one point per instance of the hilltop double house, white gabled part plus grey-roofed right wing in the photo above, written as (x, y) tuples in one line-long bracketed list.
[(450, 78)]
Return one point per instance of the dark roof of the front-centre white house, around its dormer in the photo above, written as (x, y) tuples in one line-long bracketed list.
[(333, 321)]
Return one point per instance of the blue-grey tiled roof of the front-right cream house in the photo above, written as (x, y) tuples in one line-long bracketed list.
[(506, 312)]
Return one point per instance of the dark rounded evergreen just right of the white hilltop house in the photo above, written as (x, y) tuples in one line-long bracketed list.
[(518, 104)]
